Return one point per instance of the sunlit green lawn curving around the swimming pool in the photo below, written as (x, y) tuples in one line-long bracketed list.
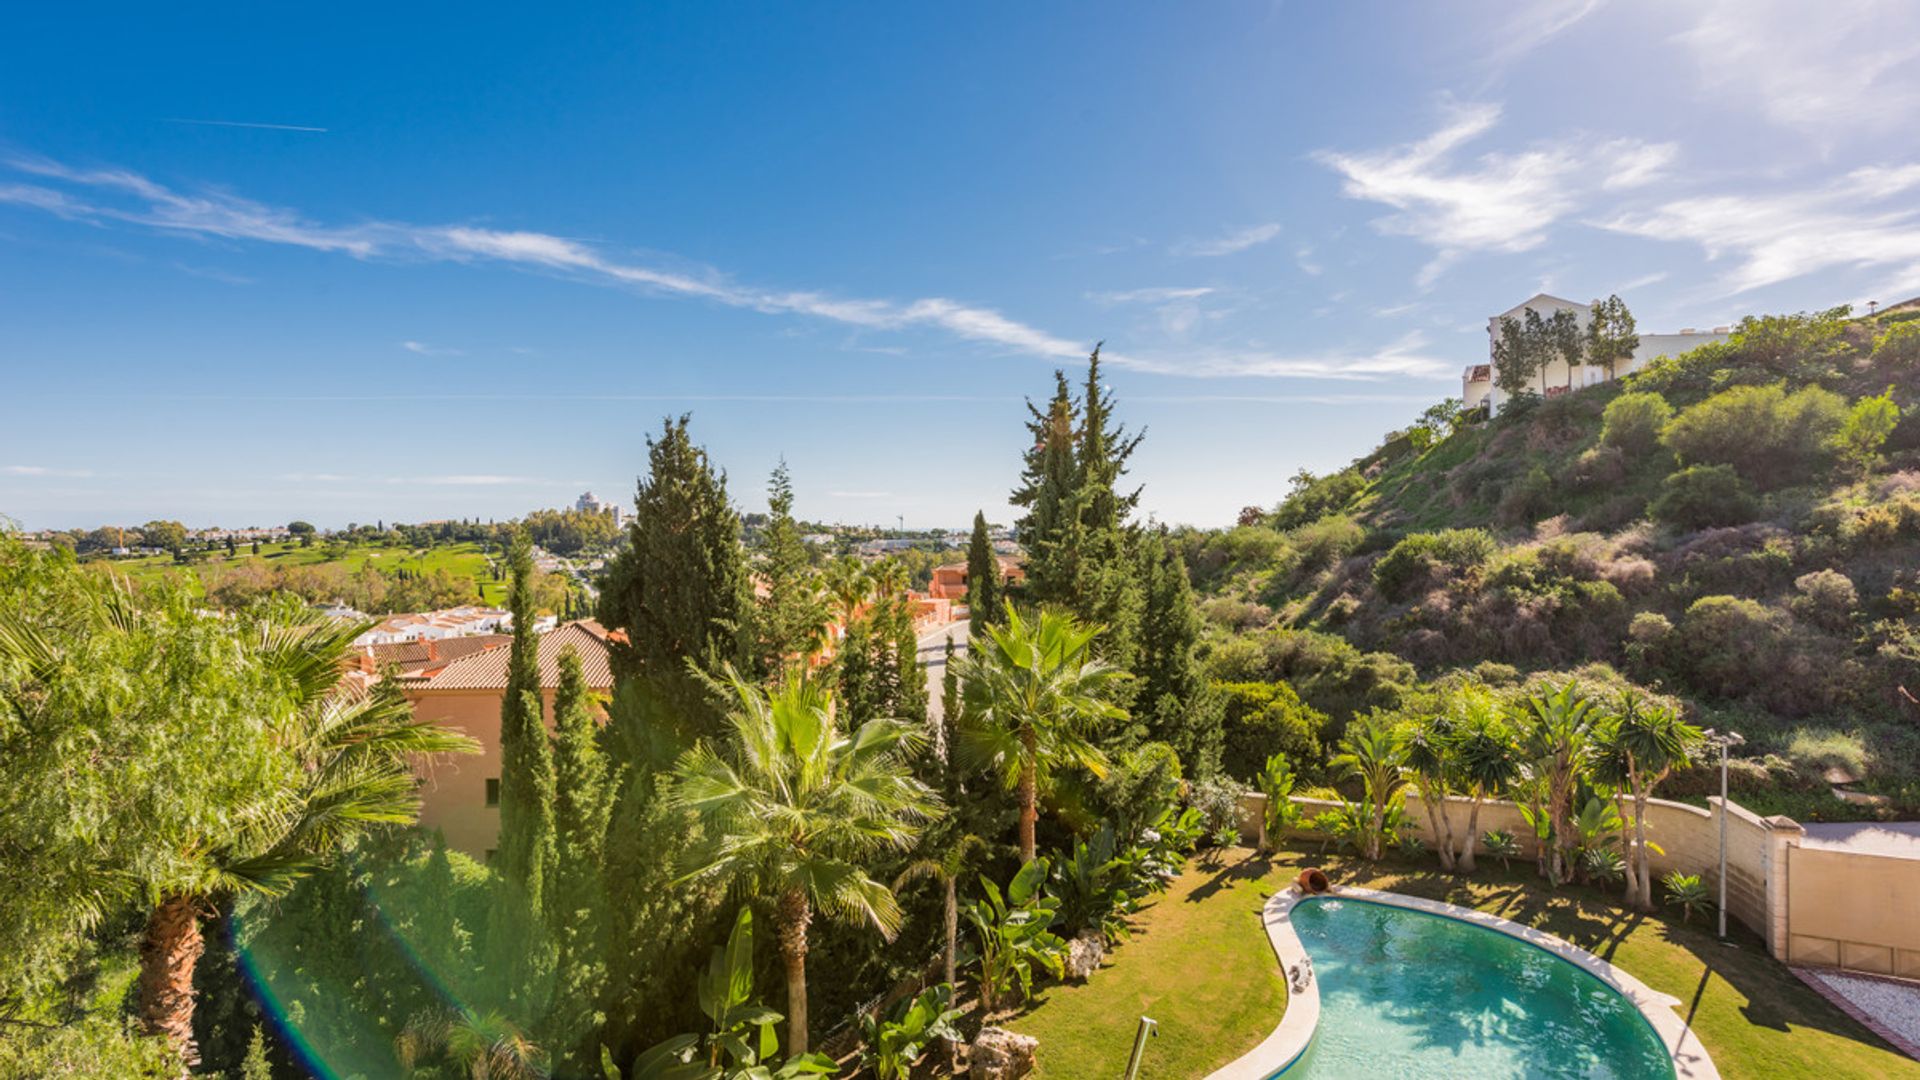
[(1201, 966)]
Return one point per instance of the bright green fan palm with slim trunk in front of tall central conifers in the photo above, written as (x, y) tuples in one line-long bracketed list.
[(1034, 693)]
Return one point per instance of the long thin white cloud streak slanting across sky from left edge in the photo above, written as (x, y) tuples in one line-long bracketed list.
[(107, 197)]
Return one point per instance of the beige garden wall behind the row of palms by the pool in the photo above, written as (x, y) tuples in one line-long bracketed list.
[(1687, 839)]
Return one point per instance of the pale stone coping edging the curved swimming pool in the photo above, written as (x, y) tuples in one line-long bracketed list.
[(1291, 1039)]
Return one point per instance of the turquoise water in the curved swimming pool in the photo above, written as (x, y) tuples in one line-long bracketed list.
[(1406, 994)]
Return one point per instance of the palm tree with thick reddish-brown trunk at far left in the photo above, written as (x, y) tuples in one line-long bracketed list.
[(325, 764)]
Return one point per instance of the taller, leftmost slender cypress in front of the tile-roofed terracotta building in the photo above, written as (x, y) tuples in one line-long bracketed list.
[(527, 781)]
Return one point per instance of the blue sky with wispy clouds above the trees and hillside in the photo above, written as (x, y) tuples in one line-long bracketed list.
[(410, 262)]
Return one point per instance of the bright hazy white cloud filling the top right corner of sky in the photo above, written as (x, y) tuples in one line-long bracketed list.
[(1844, 68)]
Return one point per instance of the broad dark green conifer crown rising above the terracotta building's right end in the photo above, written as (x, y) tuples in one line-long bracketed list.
[(681, 587)]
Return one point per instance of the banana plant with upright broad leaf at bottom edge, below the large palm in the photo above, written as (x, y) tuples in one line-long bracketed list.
[(742, 1041)]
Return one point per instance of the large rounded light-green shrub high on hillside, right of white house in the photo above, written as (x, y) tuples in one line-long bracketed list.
[(1767, 435)]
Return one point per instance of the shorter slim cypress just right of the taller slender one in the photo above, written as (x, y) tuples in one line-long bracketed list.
[(577, 906)]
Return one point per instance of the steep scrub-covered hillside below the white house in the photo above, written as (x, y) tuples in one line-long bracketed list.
[(1737, 528)]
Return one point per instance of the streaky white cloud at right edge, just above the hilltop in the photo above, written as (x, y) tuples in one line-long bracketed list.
[(1788, 235)]
